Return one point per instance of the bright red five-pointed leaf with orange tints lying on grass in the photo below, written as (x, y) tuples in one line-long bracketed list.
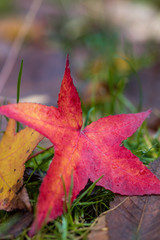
[(87, 153)]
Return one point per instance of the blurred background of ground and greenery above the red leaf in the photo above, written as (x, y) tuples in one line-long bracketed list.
[(114, 49)]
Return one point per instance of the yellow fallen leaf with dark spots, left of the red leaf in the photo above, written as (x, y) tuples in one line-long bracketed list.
[(14, 151)]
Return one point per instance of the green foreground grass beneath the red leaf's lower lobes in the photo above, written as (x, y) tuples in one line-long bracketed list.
[(75, 223)]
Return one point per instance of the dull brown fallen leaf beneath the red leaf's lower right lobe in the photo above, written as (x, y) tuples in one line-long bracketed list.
[(136, 217)]
